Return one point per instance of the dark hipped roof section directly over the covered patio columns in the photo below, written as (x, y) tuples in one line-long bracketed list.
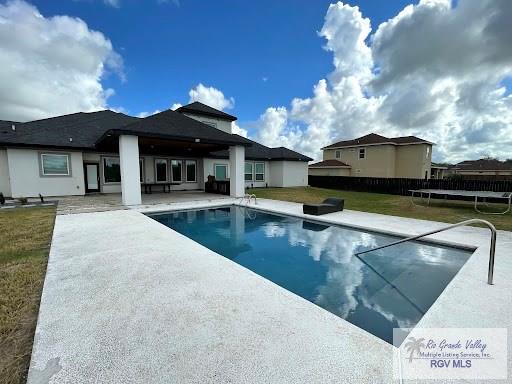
[(173, 125)]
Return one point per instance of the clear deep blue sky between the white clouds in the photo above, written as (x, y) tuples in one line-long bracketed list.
[(231, 45)]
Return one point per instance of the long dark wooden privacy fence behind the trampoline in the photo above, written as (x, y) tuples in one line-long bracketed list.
[(402, 186)]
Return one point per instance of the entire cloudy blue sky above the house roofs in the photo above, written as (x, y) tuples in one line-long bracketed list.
[(302, 73)]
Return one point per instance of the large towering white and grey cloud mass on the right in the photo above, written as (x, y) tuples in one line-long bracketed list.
[(434, 70)]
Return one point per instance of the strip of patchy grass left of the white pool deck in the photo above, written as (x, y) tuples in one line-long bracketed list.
[(24, 247)]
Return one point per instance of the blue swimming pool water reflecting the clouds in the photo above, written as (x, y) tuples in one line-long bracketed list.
[(377, 291)]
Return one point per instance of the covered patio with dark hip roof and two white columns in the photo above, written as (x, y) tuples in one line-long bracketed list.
[(169, 134)]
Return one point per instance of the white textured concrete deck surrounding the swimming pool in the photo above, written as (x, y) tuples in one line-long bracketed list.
[(127, 299)]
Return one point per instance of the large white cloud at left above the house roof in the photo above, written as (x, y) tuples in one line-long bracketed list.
[(51, 65)]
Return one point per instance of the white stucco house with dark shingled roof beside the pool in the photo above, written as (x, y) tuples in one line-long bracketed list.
[(110, 152)]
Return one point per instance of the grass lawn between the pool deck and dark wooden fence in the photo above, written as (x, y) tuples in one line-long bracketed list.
[(448, 211)]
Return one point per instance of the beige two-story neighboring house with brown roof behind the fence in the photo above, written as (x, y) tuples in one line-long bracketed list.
[(374, 155)]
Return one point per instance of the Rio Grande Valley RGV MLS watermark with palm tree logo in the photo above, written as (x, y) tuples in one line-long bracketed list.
[(451, 353)]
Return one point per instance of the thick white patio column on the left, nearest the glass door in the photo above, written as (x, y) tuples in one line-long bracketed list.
[(130, 173)]
